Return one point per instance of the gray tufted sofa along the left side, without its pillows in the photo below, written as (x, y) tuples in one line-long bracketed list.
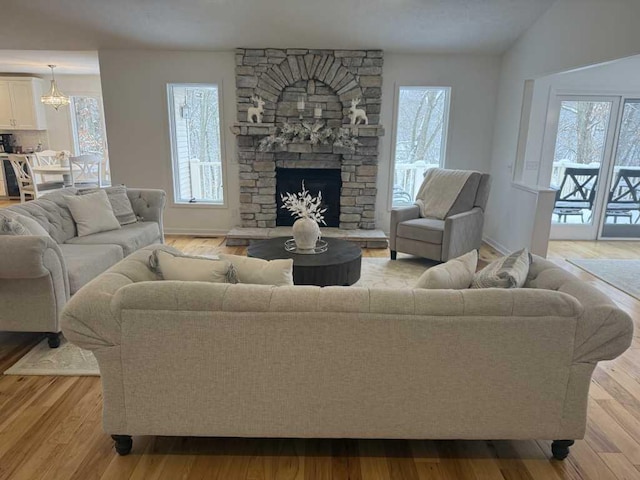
[(39, 272)]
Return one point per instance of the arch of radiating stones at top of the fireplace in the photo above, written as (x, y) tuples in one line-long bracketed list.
[(324, 68)]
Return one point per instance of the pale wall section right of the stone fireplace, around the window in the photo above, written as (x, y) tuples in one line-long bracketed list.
[(474, 88)]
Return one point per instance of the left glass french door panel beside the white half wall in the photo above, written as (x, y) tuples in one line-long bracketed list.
[(585, 132)]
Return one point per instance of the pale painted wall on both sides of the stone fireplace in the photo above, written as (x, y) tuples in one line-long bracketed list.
[(134, 91)]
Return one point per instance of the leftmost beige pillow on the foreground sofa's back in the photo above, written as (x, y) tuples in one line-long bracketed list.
[(170, 266)]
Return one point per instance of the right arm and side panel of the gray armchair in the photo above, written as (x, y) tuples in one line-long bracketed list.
[(462, 233)]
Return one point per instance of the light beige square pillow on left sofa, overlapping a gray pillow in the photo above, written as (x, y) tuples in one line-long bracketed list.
[(92, 213)]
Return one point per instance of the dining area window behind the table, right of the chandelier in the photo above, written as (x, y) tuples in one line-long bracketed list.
[(87, 125)]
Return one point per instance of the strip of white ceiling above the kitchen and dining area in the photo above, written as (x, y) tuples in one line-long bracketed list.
[(36, 61)]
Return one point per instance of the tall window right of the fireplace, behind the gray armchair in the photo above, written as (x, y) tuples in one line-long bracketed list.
[(422, 118)]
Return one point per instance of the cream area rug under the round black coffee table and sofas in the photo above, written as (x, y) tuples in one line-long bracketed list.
[(71, 360)]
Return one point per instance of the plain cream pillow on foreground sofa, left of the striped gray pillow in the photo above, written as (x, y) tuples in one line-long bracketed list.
[(456, 274)]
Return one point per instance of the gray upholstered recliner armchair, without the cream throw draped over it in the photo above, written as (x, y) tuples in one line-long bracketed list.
[(441, 240)]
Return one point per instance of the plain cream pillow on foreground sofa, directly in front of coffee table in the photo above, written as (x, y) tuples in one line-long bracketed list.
[(261, 272)]
